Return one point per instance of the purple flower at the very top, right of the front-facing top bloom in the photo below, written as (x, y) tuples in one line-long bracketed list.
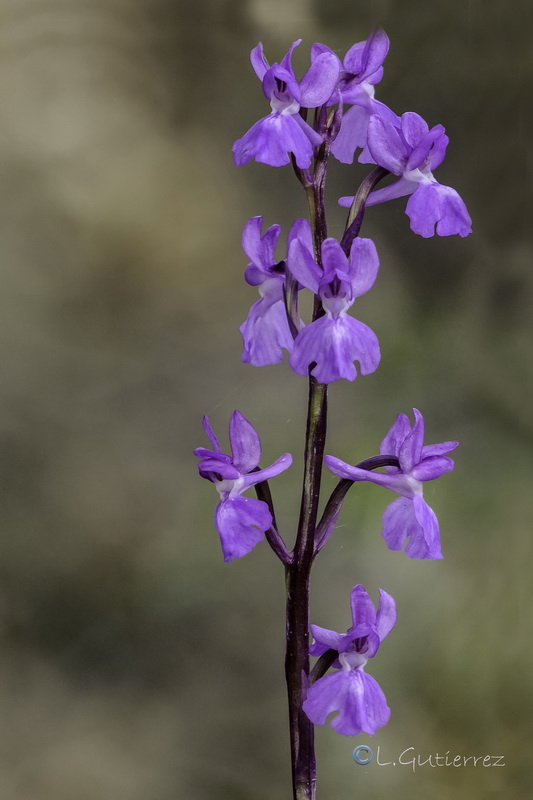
[(360, 71)]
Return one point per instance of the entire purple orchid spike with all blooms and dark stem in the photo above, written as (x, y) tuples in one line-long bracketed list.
[(346, 118)]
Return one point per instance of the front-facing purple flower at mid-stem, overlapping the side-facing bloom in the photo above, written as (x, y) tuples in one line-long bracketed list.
[(334, 341)]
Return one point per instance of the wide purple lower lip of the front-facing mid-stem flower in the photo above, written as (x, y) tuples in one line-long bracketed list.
[(334, 344)]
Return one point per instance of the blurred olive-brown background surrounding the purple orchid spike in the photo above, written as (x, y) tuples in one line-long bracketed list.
[(134, 663)]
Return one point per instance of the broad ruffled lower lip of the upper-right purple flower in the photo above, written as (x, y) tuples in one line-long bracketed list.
[(433, 204)]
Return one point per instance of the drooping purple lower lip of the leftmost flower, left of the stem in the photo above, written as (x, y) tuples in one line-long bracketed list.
[(241, 522)]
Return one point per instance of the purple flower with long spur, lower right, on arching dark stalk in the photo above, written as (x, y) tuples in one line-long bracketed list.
[(408, 517)]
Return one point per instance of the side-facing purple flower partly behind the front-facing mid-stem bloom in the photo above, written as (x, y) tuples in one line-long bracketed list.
[(266, 330)]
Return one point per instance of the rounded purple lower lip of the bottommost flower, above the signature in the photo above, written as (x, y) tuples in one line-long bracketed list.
[(357, 697)]
